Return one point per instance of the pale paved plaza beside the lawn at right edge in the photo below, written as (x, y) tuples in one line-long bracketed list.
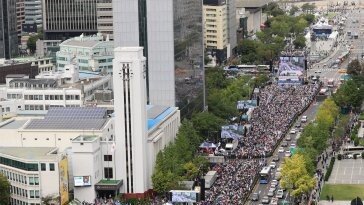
[(347, 171)]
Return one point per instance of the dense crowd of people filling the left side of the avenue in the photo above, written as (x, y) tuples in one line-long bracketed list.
[(277, 109)]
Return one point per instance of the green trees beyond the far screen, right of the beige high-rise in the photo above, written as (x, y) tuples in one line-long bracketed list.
[(271, 40)]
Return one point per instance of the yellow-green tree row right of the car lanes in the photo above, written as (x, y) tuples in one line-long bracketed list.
[(298, 171)]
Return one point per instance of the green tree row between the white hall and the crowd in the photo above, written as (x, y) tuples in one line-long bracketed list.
[(178, 161)]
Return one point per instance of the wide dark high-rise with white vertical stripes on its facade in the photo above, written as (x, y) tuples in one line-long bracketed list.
[(63, 19)]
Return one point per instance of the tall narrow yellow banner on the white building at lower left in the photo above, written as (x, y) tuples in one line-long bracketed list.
[(63, 180)]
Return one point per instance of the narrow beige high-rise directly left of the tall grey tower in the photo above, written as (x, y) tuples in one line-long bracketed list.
[(104, 18)]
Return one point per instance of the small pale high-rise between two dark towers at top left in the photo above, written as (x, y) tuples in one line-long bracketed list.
[(33, 12)]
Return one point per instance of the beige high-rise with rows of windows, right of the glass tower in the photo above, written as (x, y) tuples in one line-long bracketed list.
[(216, 27)]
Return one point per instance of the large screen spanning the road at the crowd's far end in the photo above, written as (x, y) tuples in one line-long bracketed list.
[(291, 65)]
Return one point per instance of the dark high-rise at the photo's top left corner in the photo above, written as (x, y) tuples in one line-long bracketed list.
[(8, 29)]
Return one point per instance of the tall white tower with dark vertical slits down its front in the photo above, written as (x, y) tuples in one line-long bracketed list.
[(131, 131)]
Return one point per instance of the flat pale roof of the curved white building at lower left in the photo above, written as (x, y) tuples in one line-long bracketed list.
[(30, 153)]
